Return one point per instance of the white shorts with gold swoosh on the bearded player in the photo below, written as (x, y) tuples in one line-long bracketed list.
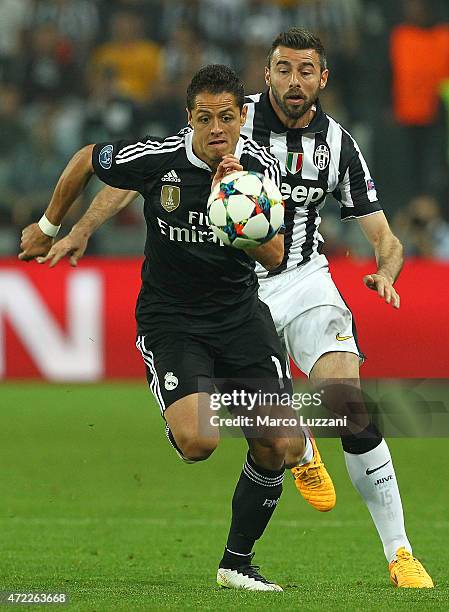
[(310, 315)]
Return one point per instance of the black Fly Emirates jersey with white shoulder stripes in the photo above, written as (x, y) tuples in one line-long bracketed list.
[(187, 271)]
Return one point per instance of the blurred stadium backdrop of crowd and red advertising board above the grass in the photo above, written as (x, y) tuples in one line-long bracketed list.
[(74, 72)]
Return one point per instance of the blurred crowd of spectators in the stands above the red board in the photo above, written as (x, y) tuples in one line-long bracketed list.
[(79, 71)]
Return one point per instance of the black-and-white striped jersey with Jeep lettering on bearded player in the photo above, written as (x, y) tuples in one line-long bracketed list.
[(317, 160)]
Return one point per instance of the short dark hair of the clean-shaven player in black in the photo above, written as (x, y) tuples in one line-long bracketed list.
[(215, 78)]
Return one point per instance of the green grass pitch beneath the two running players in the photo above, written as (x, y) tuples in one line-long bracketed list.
[(95, 503)]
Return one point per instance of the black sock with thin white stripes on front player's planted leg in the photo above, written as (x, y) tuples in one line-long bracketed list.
[(255, 499)]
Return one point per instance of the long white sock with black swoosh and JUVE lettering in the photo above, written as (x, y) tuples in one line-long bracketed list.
[(380, 491)]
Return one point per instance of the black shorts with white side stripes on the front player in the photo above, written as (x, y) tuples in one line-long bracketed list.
[(248, 356)]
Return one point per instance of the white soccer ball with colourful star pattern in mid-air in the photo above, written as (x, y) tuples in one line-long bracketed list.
[(245, 209)]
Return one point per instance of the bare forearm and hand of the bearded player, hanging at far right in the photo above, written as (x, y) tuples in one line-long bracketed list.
[(389, 256)]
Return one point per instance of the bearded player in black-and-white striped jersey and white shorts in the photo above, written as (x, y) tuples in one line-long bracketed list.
[(318, 156)]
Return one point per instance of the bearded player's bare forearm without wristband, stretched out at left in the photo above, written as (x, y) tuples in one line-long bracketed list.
[(107, 203)]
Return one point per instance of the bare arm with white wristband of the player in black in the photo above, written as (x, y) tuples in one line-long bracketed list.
[(70, 185)]
